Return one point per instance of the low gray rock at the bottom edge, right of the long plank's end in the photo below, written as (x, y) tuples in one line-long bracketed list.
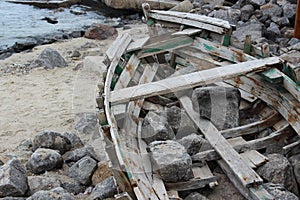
[(279, 192)]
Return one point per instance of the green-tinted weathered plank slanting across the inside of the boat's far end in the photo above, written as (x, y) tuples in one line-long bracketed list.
[(164, 46)]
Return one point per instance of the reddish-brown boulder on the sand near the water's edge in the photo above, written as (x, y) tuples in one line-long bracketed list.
[(100, 32)]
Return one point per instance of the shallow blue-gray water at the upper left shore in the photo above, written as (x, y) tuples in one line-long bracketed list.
[(19, 22)]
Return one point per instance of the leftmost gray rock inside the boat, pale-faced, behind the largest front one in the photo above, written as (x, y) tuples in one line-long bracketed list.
[(156, 127)]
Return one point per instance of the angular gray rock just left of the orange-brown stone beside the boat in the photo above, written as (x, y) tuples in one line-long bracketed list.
[(83, 170)]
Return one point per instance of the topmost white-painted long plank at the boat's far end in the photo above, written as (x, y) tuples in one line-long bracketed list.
[(196, 18)]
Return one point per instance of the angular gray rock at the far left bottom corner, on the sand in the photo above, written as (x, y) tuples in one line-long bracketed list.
[(13, 179)]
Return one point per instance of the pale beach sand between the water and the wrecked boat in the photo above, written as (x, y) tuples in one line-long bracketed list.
[(51, 99)]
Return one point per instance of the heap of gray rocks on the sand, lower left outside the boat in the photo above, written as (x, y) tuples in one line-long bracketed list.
[(56, 166)]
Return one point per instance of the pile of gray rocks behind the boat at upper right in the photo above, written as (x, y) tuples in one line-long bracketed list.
[(265, 20)]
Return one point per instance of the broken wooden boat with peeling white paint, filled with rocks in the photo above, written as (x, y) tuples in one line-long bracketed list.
[(161, 70)]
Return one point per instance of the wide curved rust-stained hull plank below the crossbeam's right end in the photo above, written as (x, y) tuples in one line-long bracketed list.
[(281, 100)]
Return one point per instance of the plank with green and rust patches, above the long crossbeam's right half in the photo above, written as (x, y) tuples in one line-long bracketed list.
[(226, 53)]
